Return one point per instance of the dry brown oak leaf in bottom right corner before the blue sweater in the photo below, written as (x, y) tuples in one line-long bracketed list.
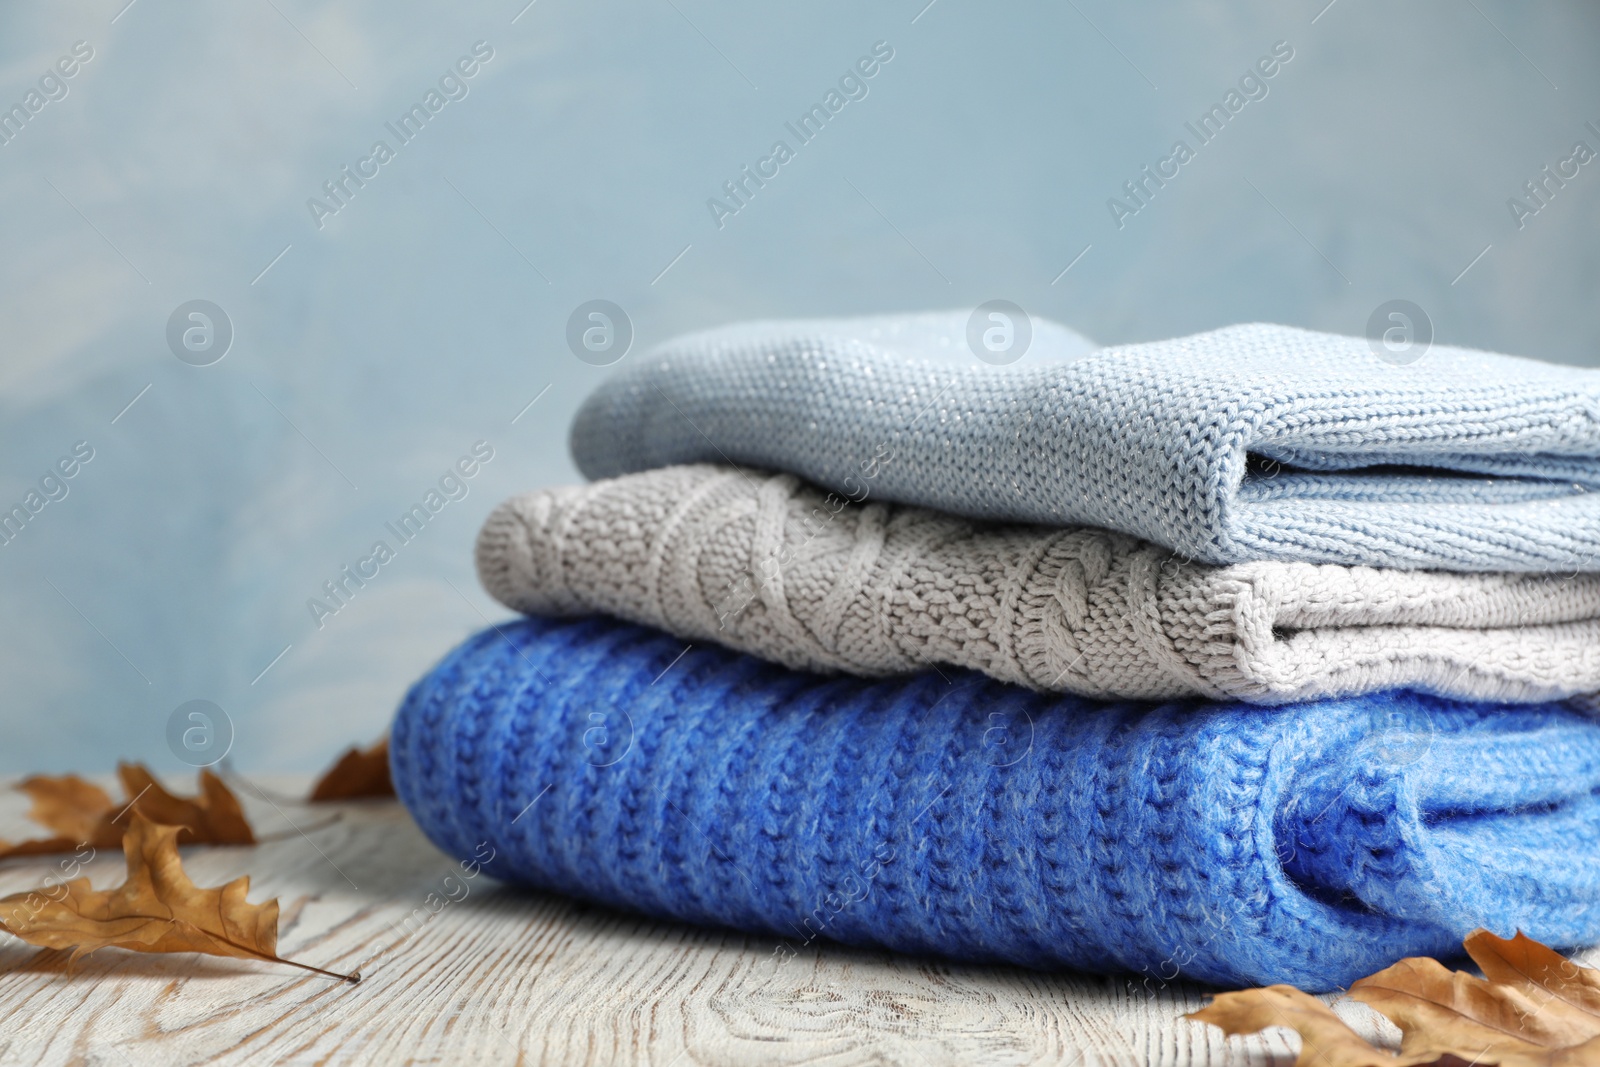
[(1537, 1009)]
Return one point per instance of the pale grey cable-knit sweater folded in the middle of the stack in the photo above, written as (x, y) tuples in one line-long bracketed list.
[(772, 567)]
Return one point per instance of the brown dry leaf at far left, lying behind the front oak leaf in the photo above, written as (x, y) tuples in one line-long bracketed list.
[(82, 813)]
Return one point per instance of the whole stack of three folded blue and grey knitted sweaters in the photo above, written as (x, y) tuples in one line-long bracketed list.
[(1246, 657)]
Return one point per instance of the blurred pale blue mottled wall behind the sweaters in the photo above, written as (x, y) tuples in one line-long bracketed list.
[(351, 354)]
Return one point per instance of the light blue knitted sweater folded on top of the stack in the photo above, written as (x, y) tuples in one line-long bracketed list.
[(1246, 444)]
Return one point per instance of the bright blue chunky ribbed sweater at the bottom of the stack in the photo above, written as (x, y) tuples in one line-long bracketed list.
[(990, 823)]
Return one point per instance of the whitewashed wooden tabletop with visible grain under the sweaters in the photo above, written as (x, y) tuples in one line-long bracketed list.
[(508, 977)]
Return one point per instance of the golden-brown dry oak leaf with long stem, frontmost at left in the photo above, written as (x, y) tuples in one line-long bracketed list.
[(158, 909)]
